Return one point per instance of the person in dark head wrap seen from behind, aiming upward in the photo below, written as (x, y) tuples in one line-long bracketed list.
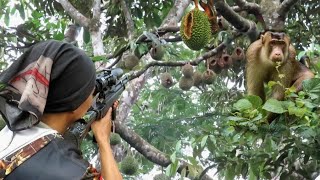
[(42, 94)]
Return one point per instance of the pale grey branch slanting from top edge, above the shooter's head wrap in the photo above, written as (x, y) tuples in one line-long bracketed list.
[(74, 13)]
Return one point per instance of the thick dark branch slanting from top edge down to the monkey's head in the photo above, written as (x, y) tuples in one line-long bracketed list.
[(241, 24)]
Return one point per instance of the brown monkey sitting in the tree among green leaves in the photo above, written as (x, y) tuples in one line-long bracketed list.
[(272, 58)]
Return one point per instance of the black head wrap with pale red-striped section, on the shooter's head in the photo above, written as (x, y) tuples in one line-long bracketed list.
[(49, 77)]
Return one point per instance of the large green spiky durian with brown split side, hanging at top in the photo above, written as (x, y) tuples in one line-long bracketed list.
[(195, 29)]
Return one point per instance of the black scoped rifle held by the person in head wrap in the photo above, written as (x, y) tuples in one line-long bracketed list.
[(109, 86)]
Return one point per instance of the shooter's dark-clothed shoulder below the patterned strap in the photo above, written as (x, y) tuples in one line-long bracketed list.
[(58, 160)]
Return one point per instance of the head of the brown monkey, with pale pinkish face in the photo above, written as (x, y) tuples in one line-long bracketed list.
[(276, 46)]
